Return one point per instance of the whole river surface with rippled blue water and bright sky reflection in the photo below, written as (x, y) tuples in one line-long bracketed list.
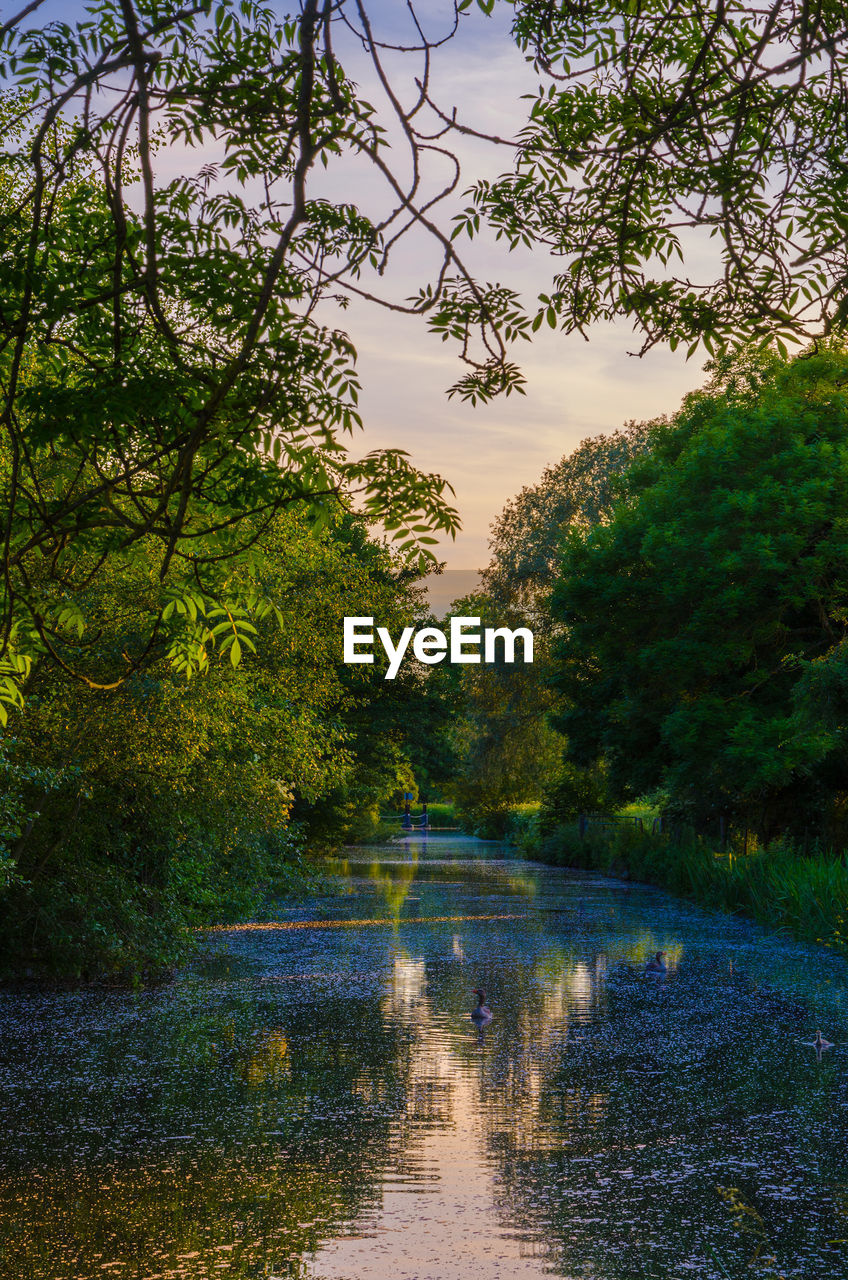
[(316, 1103)]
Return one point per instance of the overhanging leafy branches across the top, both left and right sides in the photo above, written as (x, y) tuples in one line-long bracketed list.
[(165, 368)]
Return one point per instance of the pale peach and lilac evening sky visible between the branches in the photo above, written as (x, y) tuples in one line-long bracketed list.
[(575, 388)]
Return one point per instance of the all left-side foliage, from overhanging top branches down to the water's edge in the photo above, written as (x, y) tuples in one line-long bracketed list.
[(176, 404)]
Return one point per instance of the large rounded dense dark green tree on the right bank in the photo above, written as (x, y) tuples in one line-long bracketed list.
[(696, 620)]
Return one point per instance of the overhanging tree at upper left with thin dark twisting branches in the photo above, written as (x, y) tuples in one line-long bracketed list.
[(165, 371)]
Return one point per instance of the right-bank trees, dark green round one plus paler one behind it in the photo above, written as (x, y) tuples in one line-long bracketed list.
[(699, 612)]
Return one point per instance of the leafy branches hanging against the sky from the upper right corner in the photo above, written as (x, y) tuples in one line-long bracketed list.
[(663, 129)]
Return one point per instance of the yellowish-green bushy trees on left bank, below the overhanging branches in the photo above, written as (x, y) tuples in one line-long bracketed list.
[(134, 812)]
